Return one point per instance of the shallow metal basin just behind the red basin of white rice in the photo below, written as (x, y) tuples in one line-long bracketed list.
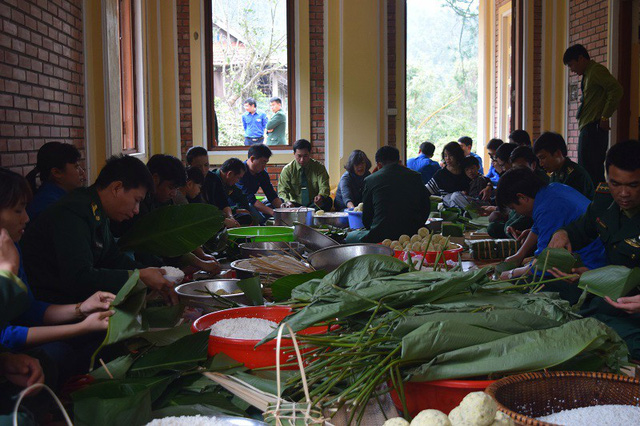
[(189, 295)]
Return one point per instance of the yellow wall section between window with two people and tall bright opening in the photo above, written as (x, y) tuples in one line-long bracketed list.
[(354, 86)]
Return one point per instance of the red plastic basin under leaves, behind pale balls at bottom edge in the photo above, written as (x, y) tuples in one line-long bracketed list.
[(443, 395)]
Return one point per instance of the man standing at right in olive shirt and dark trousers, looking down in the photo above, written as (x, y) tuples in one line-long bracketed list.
[(601, 94)]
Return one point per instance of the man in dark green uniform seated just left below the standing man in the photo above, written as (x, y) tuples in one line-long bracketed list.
[(551, 150)]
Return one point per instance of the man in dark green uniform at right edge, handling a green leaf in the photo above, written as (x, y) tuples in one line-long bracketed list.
[(614, 217)]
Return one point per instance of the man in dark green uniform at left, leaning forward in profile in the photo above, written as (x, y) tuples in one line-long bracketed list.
[(69, 251)]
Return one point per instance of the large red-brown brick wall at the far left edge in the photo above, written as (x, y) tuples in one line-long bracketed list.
[(41, 78)]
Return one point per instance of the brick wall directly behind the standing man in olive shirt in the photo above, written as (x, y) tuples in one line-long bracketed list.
[(587, 26)]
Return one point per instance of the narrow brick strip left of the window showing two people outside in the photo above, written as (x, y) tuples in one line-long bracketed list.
[(184, 73)]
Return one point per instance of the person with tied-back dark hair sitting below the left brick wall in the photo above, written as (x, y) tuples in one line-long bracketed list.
[(59, 172)]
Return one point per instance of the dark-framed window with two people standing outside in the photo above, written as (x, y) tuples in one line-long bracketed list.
[(249, 53)]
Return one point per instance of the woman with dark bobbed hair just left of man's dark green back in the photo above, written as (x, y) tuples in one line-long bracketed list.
[(349, 193)]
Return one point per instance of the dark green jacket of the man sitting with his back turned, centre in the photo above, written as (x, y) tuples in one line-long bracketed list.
[(395, 201)]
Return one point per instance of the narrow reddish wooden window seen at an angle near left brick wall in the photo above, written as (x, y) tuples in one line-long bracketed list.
[(127, 76)]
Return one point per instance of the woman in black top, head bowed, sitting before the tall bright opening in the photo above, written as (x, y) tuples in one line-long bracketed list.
[(451, 178)]
